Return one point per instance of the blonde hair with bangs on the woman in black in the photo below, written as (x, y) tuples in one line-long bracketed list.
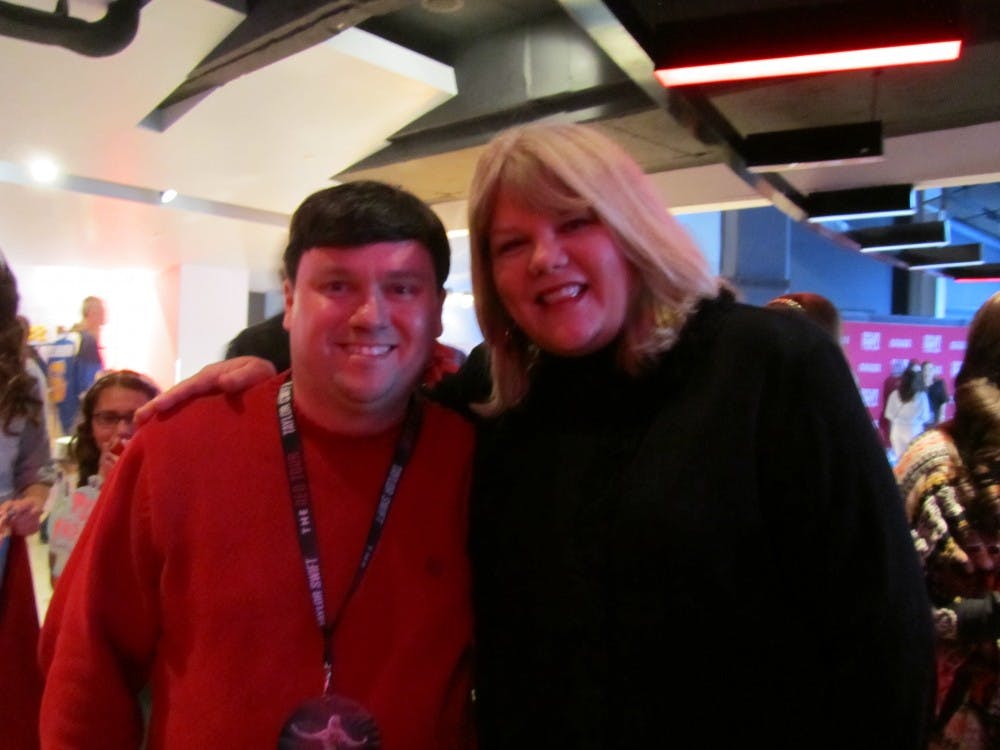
[(558, 168)]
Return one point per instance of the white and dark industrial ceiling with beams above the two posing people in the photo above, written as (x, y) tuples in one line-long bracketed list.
[(244, 108)]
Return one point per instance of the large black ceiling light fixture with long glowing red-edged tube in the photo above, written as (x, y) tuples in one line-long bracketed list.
[(833, 36)]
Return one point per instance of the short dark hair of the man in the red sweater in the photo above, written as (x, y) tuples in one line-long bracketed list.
[(361, 213)]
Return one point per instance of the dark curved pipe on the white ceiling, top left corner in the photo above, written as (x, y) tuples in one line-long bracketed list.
[(107, 36)]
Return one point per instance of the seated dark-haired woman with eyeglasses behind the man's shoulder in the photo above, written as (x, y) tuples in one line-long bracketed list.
[(106, 425)]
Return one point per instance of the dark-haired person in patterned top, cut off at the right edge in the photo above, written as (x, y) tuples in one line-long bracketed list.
[(950, 478)]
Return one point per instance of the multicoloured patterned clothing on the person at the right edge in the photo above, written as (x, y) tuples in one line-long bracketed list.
[(953, 513)]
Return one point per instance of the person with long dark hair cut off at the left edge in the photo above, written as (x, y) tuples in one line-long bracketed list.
[(25, 479)]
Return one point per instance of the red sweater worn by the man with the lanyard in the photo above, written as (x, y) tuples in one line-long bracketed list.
[(189, 575)]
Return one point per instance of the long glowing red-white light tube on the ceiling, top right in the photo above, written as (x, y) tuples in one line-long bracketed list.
[(879, 57)]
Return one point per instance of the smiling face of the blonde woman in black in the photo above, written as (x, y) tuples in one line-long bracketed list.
[(560, 276)]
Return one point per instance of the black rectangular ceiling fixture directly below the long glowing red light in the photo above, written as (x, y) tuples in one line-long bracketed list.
[(827, 146)]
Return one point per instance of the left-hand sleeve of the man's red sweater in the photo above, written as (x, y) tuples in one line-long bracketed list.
[(99, 637)]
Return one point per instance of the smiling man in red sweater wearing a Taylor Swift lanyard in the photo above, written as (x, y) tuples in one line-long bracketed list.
[(287, 566)]
